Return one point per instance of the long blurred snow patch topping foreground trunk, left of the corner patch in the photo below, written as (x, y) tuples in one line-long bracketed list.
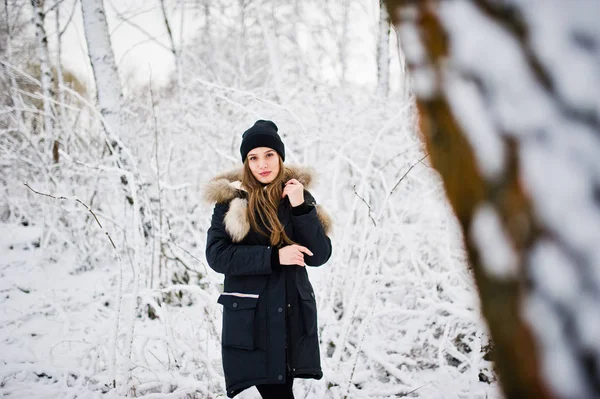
[(481, 46)]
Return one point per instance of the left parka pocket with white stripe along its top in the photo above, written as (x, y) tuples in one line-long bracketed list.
[(239, 314)]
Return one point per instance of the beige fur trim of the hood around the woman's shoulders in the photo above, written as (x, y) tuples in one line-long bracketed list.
[(227, 187)]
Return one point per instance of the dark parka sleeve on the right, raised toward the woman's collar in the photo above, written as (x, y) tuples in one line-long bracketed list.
[(309, 232)]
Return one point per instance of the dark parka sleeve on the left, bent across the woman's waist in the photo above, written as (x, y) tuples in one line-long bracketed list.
[(231, 259)]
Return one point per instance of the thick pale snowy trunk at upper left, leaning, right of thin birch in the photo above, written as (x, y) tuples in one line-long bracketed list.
[(106, 76)]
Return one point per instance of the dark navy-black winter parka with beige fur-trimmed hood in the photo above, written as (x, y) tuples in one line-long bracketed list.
[(269, 310)]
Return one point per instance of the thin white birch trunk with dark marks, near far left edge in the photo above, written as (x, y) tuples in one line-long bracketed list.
[(45, 69)]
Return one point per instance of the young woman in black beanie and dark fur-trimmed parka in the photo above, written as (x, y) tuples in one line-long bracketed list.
[(265, 228)]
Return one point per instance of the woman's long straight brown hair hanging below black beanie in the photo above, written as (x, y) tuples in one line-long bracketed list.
[(264, 202)]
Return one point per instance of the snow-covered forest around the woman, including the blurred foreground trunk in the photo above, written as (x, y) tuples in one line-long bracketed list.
[(456, 149)]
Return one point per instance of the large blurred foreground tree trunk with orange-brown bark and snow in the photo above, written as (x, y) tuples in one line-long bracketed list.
[(508, 99)]
